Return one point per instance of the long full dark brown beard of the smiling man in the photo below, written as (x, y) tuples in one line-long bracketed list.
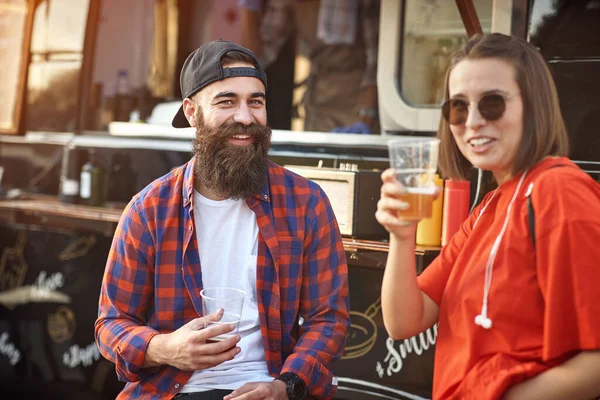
[(228, 170)]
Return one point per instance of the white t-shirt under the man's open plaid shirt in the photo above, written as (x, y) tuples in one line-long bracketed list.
[(227, 235)]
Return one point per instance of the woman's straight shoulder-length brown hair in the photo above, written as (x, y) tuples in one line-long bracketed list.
[(544, 132)]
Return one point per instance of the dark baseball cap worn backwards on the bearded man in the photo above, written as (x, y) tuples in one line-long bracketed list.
[(203, 67)]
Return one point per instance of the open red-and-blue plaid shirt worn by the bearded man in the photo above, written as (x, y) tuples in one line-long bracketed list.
[(153, 278)]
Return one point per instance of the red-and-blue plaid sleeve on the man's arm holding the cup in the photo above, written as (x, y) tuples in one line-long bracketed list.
[(121, 332)]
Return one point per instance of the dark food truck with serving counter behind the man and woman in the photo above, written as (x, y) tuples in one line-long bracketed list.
[(87, 86)]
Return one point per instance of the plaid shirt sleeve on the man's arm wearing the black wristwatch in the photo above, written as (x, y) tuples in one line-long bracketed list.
[(324, 303)]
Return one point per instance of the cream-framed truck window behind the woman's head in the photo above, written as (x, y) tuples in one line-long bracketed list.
[(414, 54)]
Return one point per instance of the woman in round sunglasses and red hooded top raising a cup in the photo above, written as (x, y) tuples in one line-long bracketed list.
[(517, 319)]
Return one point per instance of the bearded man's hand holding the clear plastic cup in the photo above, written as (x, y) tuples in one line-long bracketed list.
[(187, 348)]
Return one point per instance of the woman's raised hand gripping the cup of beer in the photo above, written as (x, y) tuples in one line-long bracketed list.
[(391, 204)]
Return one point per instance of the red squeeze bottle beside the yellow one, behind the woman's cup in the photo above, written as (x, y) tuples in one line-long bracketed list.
[(457, 195)]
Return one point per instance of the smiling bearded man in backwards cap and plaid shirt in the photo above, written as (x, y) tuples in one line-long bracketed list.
[(229, 217)]
